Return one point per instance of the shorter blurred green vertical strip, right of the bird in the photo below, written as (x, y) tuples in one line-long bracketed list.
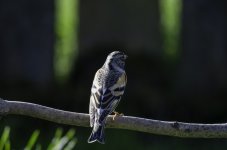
[(170, 11)]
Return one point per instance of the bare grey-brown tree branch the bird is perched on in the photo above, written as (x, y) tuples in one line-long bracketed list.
[(170, 128)]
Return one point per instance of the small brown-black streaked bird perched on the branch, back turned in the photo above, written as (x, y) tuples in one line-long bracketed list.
[(108, 87)]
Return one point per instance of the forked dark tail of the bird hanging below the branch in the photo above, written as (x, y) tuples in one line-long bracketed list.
[(97, 134)]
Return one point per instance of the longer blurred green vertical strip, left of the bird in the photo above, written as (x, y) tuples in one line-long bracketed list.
[(66, 46)]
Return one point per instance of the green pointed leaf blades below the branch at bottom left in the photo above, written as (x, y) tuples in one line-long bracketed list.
[(58, 142)]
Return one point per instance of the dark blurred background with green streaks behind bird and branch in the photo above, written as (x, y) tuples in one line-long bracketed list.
[(177, 64)]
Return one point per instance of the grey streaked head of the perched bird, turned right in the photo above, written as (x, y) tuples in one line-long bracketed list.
[(116, 60)]
